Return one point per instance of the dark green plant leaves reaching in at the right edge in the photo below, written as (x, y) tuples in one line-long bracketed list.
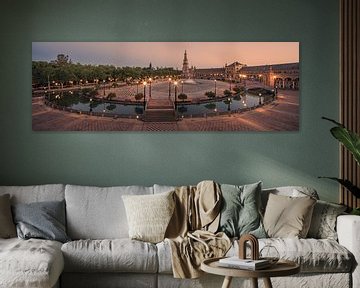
[(351, 141)]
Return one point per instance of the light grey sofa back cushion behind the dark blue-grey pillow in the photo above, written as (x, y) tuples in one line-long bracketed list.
[(36, 193)]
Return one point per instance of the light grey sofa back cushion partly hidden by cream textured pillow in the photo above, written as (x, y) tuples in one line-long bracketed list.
[(98, 213)]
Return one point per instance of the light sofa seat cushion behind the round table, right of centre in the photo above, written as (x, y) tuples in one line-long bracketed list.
[(313, 255)]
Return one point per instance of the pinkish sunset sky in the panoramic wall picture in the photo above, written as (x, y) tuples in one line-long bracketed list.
[(169, 54)]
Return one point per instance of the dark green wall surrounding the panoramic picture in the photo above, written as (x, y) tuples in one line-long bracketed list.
[(296, 158)]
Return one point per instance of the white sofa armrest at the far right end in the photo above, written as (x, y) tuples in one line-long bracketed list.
[(348, 230)]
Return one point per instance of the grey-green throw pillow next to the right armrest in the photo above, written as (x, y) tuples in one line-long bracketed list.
[(323, 223)]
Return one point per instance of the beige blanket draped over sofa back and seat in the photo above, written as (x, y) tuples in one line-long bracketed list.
[(191, 231)]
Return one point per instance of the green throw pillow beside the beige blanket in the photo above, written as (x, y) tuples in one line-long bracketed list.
[(240, 213)]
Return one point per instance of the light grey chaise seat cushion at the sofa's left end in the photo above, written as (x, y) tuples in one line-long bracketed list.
[(30, 263)]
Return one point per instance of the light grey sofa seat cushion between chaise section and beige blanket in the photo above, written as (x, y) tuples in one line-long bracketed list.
[(115, 255)]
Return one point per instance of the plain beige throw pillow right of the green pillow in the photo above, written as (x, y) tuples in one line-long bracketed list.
[(288, 217)]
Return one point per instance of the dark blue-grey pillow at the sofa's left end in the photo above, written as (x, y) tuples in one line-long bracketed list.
[(43, 220)]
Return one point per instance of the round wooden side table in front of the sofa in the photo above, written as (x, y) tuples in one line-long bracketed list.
[(281, 268)]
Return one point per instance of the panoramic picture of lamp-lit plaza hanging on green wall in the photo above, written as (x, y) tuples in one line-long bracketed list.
[(165, 86)]
